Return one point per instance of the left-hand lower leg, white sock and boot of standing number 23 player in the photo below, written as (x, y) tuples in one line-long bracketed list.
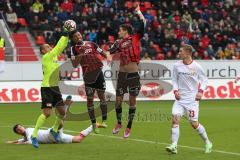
[(175, 135)]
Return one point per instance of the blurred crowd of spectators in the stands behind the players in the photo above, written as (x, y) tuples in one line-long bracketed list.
[(211, 26)]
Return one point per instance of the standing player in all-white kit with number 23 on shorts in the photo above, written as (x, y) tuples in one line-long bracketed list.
[(189, 81)]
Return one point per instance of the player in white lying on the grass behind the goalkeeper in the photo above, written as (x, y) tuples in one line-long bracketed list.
[(44, 136)]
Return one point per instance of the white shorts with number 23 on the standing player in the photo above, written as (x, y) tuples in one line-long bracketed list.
[(191, 110)]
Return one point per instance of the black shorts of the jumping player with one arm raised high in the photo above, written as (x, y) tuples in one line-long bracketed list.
[(128, 83)]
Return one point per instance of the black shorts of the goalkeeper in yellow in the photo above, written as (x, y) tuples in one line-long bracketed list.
[(51, 97)]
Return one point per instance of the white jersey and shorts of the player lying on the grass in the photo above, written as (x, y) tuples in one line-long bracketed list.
[(44, 136)]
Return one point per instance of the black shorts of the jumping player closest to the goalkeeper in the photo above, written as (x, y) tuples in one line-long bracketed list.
[(94, 81)]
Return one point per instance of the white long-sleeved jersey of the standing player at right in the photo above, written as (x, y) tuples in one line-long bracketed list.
[(188, 79)]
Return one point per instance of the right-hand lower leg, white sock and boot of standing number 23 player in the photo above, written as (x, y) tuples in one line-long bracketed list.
[(202, 132)]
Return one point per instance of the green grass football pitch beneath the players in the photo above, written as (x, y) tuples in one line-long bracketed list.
[(150, 134)]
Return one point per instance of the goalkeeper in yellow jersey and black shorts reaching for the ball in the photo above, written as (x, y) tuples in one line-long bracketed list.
[(51, 95)]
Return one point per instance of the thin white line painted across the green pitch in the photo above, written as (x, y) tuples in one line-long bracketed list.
[(144, 141)]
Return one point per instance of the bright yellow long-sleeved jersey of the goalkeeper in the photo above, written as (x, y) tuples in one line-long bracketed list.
[(50, 64)]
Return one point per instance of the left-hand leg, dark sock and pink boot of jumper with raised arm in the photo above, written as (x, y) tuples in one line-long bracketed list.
[(118, 109)]
